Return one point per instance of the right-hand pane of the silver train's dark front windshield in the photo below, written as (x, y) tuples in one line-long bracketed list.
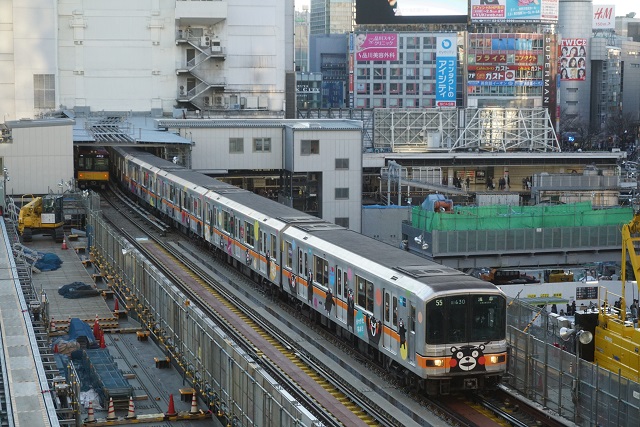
[(488, 317)]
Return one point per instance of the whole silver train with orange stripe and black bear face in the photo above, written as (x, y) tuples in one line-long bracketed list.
[(436, 328)]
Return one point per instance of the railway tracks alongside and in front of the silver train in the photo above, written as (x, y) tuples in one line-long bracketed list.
[(368, 411)]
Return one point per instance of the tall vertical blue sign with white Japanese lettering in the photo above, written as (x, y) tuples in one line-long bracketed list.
[(446, 61)]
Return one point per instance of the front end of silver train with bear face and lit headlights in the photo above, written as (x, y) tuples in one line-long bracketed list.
[(464, 333)]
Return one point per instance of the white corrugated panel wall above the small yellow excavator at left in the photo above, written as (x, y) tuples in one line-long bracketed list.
[(38, 159)]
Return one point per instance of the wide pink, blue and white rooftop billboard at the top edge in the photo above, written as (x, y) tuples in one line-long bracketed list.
[(514, 10)]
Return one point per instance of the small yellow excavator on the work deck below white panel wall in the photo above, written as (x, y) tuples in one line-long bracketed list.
[(42, 215)]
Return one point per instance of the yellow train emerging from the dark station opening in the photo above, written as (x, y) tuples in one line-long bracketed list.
[(91, 165)]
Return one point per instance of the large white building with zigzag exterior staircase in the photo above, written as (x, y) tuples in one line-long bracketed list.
[(144, 55)]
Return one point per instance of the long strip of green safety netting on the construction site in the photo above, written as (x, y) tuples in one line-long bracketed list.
[(503, 217)]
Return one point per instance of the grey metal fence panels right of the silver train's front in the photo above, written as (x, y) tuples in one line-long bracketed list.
[(547, 370)]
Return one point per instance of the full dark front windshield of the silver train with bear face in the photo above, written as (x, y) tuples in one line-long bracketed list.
[(465, 318)]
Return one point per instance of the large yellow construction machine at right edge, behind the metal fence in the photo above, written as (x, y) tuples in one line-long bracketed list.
[(617, 339)]
